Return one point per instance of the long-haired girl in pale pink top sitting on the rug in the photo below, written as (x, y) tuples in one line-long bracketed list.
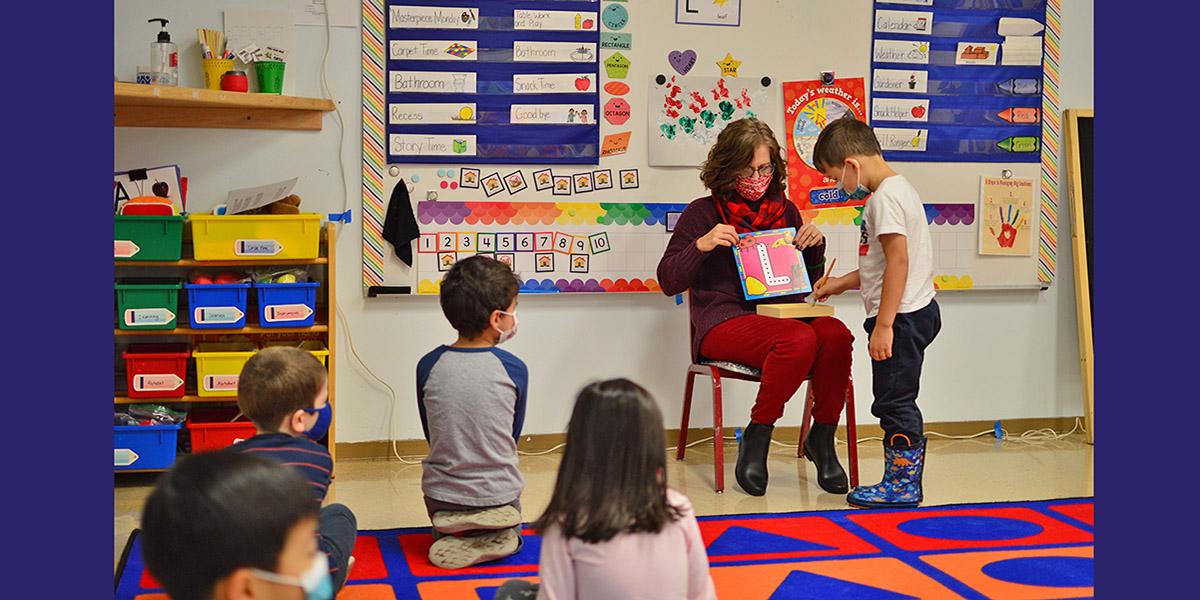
[(614, 530)]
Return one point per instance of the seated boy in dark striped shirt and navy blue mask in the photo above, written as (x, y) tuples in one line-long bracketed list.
[(286, 393)]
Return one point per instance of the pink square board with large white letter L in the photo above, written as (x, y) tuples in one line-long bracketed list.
[(770, 266)]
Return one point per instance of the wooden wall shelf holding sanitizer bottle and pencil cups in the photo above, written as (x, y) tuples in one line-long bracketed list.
[(157, 106)]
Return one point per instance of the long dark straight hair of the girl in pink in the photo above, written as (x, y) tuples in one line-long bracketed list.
[(613, 478)]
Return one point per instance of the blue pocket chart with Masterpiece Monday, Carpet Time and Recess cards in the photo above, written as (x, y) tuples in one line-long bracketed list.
[(493, 82)]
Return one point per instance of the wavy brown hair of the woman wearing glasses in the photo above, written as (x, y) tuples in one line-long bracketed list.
[(734, 152)]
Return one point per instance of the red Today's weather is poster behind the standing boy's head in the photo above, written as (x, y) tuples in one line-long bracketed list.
[(808, 109)]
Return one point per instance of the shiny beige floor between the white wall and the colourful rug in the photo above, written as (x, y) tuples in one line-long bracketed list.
[(388, 494)]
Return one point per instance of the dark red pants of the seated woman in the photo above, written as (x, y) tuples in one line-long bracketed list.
[(788, 352)]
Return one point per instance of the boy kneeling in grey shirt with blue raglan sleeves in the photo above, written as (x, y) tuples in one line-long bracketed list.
[(472, 399)]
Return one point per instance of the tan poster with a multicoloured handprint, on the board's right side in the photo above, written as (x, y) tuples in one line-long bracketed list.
[(1006, 207)]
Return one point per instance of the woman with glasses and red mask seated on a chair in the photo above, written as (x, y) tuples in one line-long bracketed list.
[(745, 175)]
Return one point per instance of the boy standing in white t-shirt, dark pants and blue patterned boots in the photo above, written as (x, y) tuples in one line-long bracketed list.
[(897, 281)]
